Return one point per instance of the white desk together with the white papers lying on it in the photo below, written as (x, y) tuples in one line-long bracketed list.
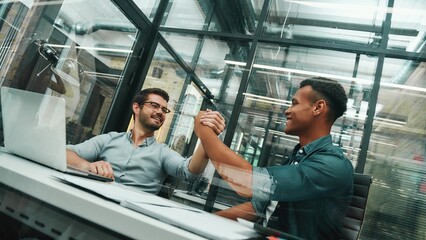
[(38, 197)]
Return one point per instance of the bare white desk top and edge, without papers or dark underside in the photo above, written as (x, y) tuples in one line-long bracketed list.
[(37, 181)]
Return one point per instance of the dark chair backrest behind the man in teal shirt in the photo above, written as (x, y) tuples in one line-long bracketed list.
[(356, 211)]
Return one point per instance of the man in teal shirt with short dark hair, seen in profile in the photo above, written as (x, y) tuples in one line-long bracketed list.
[(307, 196)]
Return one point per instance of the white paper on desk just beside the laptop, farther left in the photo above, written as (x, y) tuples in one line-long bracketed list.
[(115, 191)]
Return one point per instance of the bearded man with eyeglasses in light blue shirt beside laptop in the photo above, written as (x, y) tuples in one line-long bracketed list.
[(135, 158)]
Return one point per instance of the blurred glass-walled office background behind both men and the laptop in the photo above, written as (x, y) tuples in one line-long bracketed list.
[(245, 59)]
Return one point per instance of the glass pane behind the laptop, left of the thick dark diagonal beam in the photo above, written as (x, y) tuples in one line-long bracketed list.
[(64, 49)]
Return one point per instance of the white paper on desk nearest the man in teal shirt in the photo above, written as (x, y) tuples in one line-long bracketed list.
[(199, 222)]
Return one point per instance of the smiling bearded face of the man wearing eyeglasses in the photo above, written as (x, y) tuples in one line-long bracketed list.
[(149, 117)]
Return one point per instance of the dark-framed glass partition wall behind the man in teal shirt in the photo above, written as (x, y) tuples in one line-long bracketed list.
[(263, 49)]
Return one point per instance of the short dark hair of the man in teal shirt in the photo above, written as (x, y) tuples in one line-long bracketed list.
[(331, 91)]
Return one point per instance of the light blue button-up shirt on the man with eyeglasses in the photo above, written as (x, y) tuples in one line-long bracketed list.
[(144, 167)]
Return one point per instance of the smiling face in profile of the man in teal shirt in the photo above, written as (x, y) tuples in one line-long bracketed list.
[(300, 115)]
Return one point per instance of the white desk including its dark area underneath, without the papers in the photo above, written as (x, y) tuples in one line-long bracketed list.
[(36, 181)]
